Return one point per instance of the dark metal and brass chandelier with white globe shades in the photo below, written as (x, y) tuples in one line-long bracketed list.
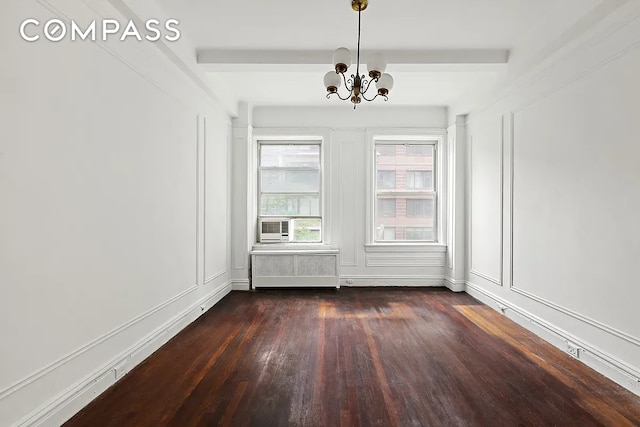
[(358, 85)]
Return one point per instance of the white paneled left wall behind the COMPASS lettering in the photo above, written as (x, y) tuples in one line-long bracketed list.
[(110, 237)]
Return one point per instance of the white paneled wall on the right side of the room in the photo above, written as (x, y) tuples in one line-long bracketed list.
[(554, 200)]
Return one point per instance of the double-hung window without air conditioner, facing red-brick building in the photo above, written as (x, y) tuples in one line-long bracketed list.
[(405, 191)]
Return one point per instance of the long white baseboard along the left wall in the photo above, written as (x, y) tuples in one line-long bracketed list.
[(68, 403)]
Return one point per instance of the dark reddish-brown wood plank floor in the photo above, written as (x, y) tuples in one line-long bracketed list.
[(368, 357)]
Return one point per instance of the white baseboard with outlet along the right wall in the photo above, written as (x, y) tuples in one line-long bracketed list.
[(625, 375)]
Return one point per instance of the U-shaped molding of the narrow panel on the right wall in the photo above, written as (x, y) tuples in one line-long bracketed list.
[(500, 280)]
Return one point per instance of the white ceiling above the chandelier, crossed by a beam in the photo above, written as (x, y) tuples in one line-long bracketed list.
[(280, 27)]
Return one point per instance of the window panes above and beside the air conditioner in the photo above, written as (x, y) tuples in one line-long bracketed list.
[(290, 187)]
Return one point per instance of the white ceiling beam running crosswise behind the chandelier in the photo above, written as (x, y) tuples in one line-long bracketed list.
[(401, 60)]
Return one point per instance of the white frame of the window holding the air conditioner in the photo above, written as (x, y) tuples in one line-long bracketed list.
[(279, 141)]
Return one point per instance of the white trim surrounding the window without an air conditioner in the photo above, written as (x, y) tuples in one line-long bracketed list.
[(436, 137)]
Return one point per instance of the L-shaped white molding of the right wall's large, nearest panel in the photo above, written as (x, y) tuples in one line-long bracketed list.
[(513, 287)]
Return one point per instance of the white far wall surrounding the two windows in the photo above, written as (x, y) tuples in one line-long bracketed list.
[(346, 134)]
